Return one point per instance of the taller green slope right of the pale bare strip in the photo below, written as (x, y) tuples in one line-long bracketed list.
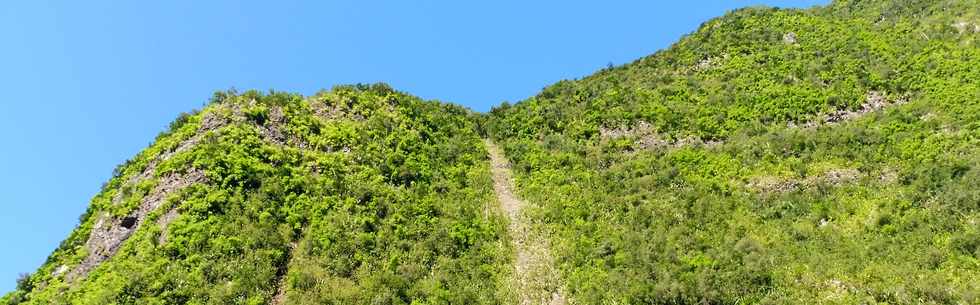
[(781, 156)]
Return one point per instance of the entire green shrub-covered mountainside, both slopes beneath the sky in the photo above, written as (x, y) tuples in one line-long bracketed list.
[(779, 156)]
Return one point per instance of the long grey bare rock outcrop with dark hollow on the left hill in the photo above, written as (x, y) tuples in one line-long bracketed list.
[(109, 232)]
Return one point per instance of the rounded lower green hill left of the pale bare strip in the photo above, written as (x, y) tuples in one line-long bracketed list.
[(354, 196)]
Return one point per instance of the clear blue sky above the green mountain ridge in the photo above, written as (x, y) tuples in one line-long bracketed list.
[(84, 85)]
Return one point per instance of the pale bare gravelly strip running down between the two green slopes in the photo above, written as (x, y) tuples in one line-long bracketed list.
[(535, 279)]
